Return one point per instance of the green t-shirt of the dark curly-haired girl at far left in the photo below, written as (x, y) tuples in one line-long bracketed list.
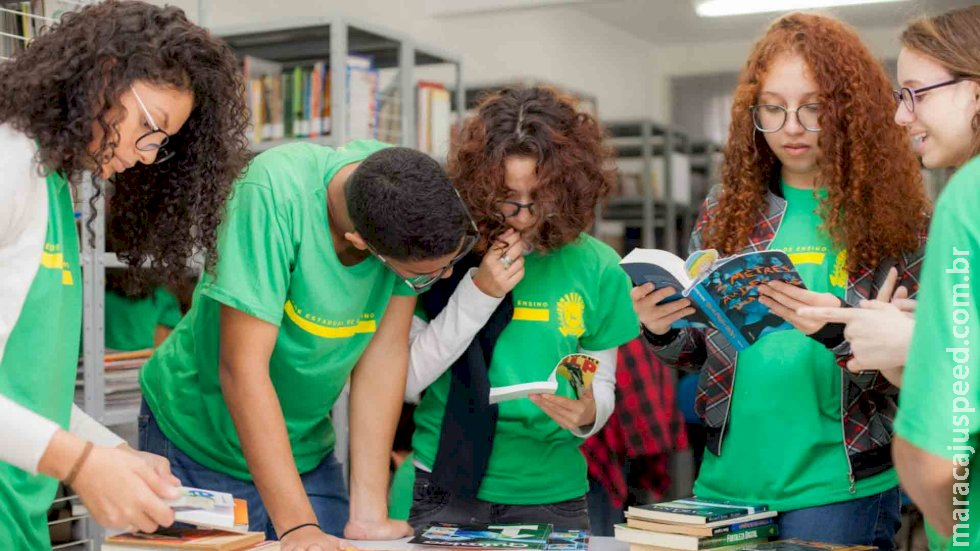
[(39, 365)]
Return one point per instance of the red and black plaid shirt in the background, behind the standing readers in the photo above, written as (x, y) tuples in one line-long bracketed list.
[(646, 425)]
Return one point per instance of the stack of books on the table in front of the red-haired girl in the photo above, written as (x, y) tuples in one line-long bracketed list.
[(693, 524)]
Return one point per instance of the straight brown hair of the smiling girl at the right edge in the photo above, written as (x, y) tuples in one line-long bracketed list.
[(953, 40)]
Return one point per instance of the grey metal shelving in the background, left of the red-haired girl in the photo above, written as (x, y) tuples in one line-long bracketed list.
[(647, 140)]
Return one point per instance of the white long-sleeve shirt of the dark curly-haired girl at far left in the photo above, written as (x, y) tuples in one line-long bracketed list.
[(23, 226)]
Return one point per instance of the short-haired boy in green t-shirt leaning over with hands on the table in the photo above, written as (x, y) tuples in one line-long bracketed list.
[(320, 256)]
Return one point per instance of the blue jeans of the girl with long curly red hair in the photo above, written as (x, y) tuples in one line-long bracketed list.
[(873, 520)]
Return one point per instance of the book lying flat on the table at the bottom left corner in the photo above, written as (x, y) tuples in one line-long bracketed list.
[(190, 539)]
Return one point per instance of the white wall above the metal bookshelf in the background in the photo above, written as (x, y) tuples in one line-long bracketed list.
[(557, 44)]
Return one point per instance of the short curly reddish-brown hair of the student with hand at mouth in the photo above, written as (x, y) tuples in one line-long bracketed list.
[(574, 166)]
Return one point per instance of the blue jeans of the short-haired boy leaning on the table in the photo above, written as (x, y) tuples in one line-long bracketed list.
[(324, 485)]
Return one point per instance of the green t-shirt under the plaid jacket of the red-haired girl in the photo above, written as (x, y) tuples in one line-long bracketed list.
[(785, 439)]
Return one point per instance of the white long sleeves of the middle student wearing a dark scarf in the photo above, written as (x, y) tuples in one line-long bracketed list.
[(439, 343)]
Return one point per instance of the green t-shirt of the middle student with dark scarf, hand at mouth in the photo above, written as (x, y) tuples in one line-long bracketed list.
[(574, 297)]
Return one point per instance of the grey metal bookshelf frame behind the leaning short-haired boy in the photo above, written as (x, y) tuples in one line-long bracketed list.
[(301, 42)]
